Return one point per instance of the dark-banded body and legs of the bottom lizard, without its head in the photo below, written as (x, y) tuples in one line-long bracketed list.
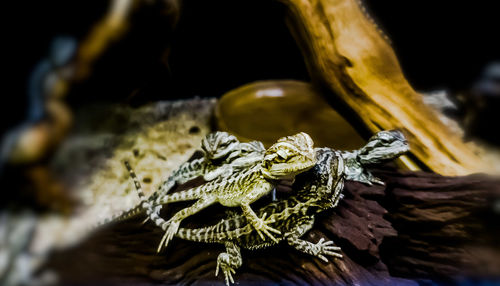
[(318, 190)]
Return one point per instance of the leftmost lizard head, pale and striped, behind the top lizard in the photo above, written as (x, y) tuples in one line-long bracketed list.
[(218, 145)]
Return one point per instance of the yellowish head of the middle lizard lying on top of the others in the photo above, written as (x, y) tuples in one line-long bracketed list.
[(288, 157)]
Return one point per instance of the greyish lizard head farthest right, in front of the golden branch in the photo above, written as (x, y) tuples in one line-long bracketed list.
[(383, 146)]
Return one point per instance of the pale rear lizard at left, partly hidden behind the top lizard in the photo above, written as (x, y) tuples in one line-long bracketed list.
[(223, 154)]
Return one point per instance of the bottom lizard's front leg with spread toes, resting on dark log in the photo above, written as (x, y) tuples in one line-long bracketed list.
[(319, 249)]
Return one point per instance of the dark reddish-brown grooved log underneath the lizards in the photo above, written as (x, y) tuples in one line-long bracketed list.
[(432, 237)]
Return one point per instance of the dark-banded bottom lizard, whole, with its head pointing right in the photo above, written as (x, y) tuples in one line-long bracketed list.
[(319, 189)]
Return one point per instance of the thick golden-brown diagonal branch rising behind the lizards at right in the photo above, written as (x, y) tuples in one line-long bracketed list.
[(349, 55)]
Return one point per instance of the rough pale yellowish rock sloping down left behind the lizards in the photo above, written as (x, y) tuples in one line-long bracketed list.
[(88, 167)]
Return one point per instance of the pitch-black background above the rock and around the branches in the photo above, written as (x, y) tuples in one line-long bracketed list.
[(221, 44)]
